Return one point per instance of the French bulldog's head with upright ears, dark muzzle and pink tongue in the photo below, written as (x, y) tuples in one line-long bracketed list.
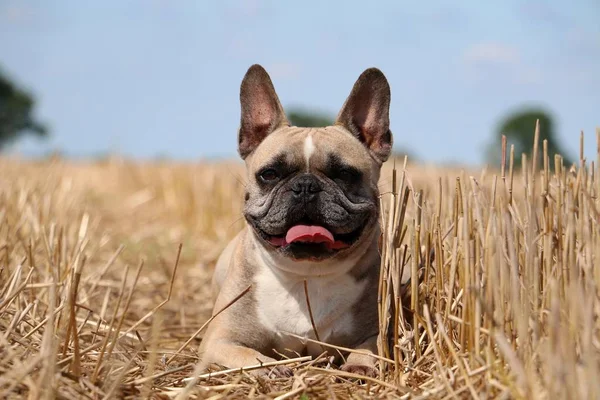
[(312, 192)]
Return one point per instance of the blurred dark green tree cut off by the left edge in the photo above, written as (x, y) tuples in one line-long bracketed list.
[(16, 108)]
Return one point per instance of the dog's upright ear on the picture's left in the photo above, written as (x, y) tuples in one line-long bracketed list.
[(262, 112)]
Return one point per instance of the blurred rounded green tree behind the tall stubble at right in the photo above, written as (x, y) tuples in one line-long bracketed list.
[(519, 129)]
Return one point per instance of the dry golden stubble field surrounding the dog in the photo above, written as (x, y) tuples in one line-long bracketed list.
[(105, 269)]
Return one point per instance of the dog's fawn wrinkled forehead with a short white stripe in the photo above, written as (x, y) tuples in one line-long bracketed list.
[(312, 149)]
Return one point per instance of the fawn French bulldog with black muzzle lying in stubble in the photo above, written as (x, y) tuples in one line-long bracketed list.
[(312, 209)]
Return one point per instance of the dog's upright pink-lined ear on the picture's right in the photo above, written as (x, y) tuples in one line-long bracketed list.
[(366, 113)]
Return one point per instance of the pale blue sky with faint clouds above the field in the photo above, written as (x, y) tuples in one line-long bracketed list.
[(148, 78)]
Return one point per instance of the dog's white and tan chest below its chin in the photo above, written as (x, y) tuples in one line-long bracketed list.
[(282, 307)]
